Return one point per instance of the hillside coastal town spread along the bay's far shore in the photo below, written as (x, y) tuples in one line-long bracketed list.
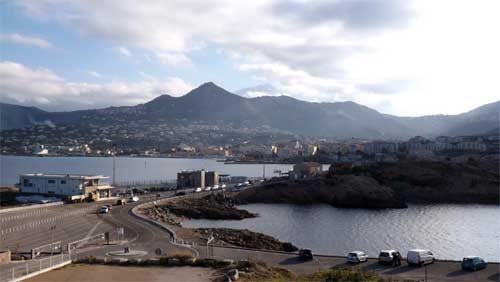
[(228, 144)]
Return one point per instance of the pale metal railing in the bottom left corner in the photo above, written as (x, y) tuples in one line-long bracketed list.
[(16, 271)]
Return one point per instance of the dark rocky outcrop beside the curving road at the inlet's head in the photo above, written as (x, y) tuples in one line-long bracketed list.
[(208, 207)]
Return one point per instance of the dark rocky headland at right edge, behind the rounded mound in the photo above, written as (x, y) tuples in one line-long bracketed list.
[(473, 181)]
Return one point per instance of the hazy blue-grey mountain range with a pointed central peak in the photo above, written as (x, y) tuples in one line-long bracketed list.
[(212, 104)]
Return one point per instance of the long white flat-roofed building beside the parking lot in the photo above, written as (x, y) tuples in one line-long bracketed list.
[(71, 187)]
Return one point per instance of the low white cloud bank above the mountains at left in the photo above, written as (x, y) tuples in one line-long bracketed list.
[(44, 88)]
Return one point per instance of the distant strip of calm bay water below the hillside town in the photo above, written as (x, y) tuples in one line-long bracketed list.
[(127, 169)]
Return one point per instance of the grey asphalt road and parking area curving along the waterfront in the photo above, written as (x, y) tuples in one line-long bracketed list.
[(73, 222)]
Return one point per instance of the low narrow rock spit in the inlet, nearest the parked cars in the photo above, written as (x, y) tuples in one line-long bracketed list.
[(246, 239)]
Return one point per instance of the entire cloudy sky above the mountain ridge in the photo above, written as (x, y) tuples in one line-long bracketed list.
[(401, 57)]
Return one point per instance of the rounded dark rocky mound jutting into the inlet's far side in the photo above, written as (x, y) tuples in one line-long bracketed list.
[(341, 191)]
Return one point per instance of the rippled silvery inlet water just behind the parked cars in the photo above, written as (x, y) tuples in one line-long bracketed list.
[(450, 231)]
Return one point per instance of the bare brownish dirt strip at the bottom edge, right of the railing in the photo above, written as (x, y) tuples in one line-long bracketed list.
[(84, 272)]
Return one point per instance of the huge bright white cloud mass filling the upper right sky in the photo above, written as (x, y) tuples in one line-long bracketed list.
[(444, 51)]
